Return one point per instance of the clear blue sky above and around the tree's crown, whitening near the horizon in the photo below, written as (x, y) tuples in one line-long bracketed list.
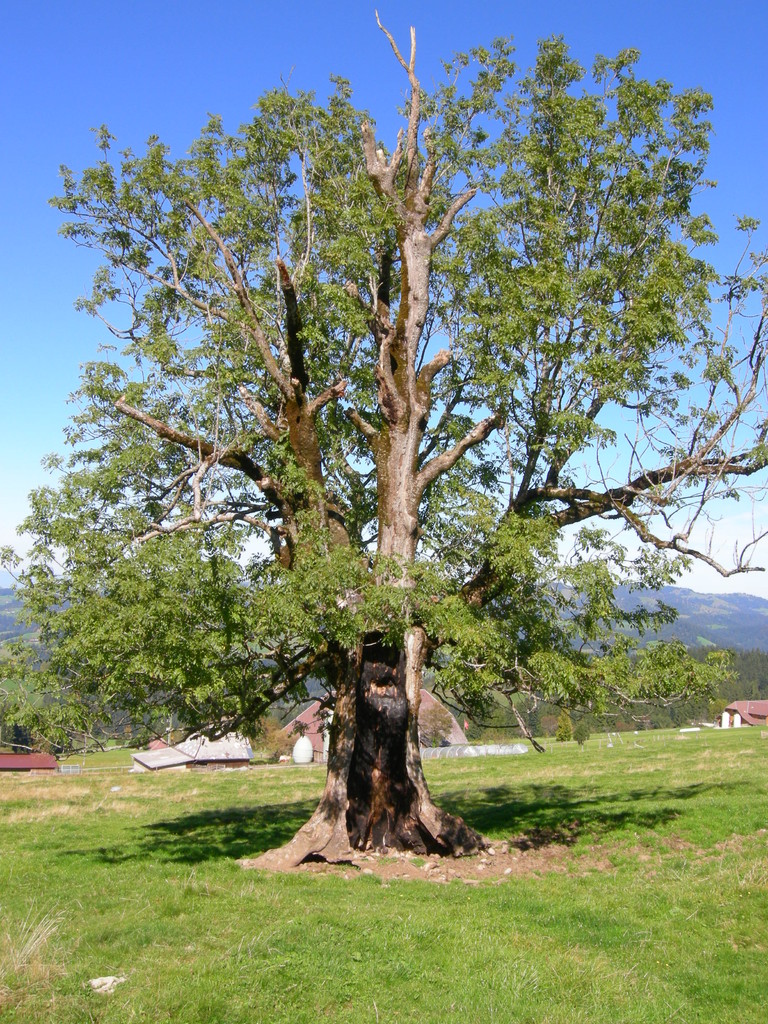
[(159, 68)]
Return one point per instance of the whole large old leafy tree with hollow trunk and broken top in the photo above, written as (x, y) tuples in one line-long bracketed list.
[(376, 409)]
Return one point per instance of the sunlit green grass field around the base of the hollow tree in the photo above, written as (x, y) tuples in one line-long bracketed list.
[(644, 898)]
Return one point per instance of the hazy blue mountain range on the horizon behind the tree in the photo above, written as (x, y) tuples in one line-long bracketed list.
[(738, 621)]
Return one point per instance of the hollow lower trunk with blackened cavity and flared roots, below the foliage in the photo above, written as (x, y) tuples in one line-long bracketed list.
[(376, 797)]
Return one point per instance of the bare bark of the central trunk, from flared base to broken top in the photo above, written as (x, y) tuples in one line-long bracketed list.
[(376, 796)]
